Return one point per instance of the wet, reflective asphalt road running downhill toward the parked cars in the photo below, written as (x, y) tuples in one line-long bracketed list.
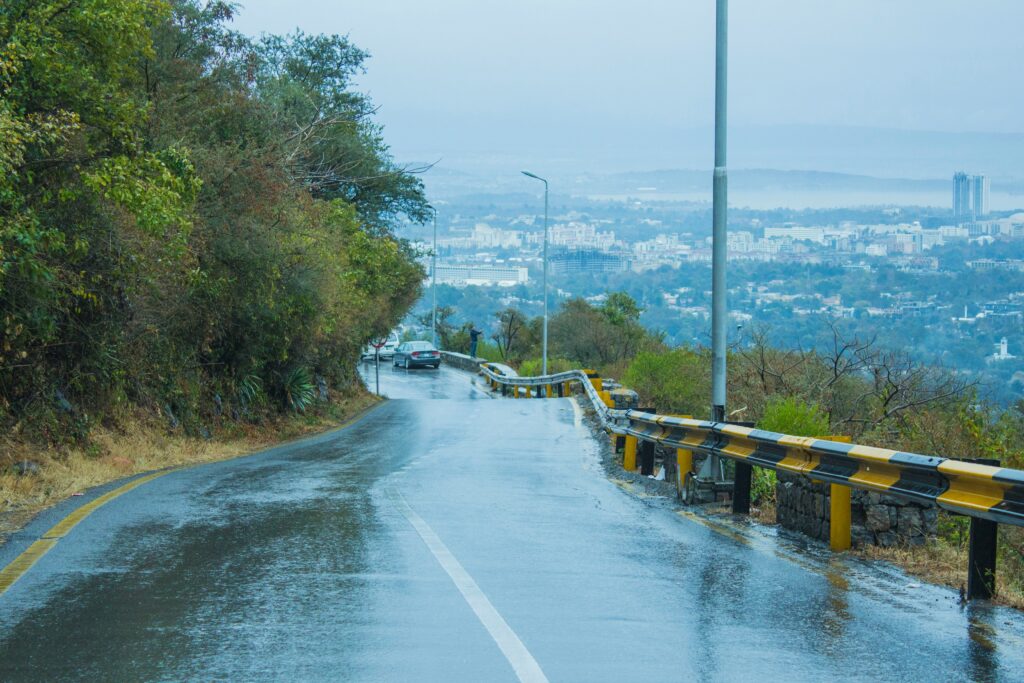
[(397, 549)]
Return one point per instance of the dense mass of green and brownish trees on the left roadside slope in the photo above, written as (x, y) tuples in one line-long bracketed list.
[(190, 220)]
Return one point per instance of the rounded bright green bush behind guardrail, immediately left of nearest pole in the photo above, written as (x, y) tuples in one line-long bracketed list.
[(674, 382)]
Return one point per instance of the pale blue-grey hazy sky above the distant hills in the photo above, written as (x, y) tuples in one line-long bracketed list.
[(474, 76)]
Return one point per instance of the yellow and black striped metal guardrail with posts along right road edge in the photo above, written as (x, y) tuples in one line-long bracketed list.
[(989, 494)]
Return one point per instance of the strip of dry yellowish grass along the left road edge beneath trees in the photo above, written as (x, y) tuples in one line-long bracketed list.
[(139, 445)]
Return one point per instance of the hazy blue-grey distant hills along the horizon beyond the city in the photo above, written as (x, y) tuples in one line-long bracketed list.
[(800, 164)]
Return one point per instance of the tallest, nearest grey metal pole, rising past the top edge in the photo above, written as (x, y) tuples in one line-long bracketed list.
[(719, 314)]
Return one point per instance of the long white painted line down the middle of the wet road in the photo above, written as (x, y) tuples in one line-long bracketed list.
[(523, 662)]
